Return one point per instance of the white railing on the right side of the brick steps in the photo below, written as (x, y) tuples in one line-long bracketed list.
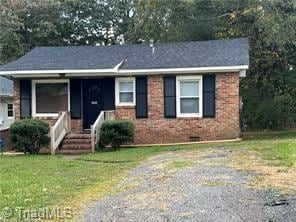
[(95, 128)]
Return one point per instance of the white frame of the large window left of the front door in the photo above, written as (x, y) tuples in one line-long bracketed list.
[(34, 82)]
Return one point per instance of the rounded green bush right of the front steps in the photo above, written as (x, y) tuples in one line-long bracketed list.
[(116, 133)]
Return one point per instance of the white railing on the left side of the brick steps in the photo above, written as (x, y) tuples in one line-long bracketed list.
[(59, 130)]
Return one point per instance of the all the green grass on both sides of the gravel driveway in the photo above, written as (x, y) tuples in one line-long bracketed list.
[(43, 180)]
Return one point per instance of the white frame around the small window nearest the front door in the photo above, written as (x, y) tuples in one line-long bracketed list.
[(117, 91)]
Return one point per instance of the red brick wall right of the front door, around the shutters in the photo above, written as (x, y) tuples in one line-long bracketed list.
[(157, 129)]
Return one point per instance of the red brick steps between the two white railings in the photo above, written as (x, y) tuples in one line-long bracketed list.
[(75, 144)]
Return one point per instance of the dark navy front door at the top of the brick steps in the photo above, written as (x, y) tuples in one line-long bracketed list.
[(92, 101)]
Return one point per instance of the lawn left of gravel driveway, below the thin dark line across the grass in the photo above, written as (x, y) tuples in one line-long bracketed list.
[(39, 181)]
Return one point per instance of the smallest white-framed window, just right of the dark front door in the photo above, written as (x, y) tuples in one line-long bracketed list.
[(125, 91)]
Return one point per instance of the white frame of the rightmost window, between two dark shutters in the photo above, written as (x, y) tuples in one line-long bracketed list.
[(179, 79)]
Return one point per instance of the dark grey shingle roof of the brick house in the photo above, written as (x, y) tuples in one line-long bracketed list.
[(212, 53)]
